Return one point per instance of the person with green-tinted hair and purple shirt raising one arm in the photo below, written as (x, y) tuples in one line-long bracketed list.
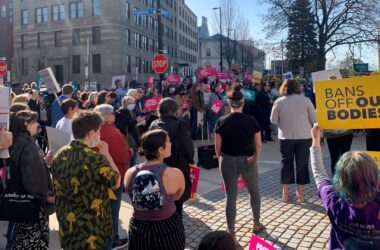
[(351, 199)]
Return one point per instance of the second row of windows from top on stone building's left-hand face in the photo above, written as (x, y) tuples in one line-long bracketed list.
[(76, 38)]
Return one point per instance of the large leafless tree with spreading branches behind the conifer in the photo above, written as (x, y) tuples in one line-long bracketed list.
[(338, 22)]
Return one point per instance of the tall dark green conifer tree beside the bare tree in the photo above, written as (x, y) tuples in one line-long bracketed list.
[(302, 43)]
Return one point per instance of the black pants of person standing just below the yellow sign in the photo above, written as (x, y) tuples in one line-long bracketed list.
[(337, 147)]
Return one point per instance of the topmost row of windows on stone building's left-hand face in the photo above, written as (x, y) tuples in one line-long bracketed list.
[(76, 10)]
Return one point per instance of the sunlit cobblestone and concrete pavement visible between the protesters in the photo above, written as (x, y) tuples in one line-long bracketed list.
[(288, 226)]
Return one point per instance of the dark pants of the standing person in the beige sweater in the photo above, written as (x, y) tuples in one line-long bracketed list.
[(297, 150)]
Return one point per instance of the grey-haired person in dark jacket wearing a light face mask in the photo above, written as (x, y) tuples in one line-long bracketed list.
[(127, 123)]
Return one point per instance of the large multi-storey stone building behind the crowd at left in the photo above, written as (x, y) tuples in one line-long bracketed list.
[(94, 40)]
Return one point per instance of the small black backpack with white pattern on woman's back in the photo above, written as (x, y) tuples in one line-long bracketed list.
[(148, 192)]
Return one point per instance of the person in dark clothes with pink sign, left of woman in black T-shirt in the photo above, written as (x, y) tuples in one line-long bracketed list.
[(212, 117)]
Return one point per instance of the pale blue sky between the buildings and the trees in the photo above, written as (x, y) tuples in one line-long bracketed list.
[(254, 11)]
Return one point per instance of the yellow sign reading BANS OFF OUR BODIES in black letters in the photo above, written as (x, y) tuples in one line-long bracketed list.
[(352, 103)]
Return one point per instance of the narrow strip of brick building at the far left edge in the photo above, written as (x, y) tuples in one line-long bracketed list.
[(6, 31)]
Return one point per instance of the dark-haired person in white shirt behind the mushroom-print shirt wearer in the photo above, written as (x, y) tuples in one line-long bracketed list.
[(69, 109)]
